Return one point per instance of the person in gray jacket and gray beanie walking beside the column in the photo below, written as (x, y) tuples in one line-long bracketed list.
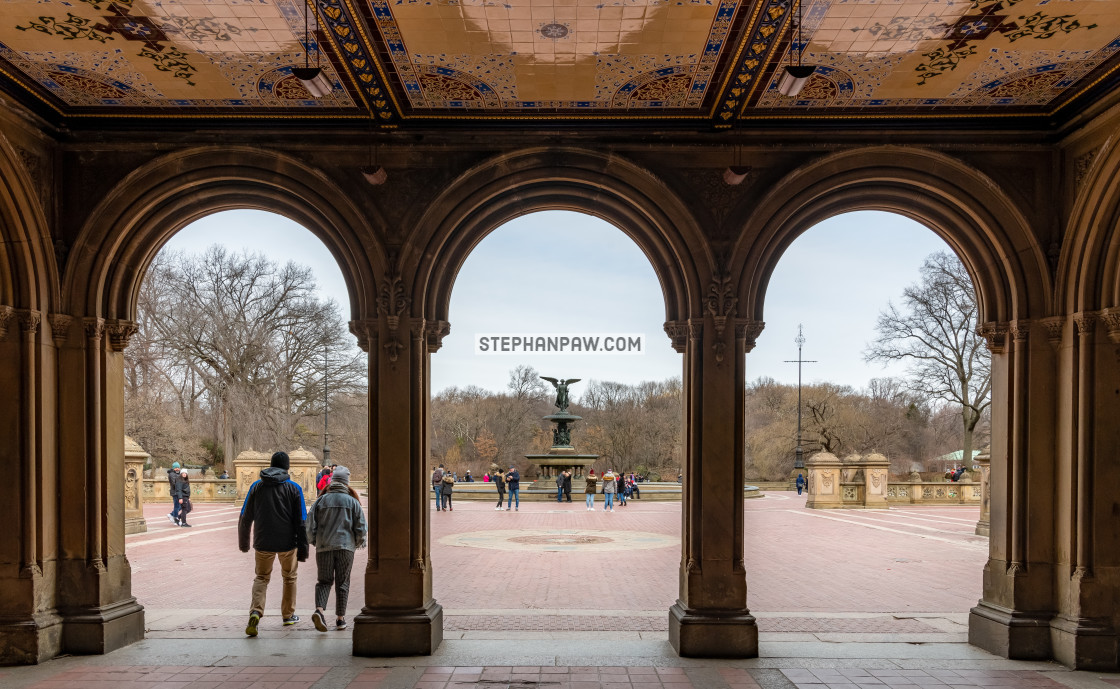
[(337, 527)]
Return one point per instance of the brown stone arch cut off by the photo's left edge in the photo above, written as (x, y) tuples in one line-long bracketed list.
[(29, 273)]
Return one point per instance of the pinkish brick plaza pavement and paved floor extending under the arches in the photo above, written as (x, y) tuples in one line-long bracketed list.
[(557, 598)]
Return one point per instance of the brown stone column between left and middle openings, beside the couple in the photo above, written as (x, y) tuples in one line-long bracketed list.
[(400, 617)]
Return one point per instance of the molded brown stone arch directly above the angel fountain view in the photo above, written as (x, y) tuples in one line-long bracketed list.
[(608, 188)]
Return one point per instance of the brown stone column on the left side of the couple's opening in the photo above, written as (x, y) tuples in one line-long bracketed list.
[(99, 612)]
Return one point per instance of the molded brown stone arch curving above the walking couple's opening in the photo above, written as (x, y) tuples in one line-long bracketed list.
[(154, 202)]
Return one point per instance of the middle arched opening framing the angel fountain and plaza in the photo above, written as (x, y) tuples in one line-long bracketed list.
[(556, 275)]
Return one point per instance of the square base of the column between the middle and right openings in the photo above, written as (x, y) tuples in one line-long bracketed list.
[(713, 635)]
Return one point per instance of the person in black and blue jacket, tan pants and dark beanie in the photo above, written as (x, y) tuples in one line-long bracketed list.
[(275, 514)]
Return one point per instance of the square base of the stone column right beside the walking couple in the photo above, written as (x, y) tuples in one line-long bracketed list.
[(389, 634)]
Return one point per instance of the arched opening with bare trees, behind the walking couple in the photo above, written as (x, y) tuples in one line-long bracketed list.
[(241, 350)]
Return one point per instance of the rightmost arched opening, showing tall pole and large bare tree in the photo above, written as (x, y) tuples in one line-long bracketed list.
[(903, 557)]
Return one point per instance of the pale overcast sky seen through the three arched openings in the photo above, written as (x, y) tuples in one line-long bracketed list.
[(558, 273)]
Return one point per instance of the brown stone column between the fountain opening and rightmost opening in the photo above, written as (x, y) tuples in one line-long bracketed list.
[(711, 619)]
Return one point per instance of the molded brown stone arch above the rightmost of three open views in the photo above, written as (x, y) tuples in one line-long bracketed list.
[(959, 203)]
